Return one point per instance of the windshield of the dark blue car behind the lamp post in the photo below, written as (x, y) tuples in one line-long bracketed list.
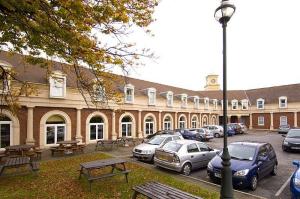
[(241, 152)]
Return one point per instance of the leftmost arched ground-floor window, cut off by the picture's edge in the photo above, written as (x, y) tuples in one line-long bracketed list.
[(5, 131)]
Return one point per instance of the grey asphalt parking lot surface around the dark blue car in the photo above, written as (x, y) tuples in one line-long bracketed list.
[(268, 186)]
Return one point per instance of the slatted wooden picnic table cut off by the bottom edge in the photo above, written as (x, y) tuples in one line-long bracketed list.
[(156, 190)]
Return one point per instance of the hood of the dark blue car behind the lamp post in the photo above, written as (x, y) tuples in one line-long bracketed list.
[(236, 165)]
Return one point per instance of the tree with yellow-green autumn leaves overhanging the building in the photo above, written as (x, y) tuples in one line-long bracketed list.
[(80, 33)]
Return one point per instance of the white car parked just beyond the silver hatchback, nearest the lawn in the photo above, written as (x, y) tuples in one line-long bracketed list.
[(146, 150)]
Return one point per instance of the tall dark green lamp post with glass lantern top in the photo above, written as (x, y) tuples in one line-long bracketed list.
[(223, 14)]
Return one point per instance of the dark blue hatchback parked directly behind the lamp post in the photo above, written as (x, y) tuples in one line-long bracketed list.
[(250, 161)]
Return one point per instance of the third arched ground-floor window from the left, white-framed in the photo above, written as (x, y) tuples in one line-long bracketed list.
[(96, 128)]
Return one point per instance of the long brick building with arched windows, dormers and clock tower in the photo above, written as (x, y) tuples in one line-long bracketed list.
[(59, 112)]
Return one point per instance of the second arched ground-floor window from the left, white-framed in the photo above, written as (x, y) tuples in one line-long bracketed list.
[(55, 129)]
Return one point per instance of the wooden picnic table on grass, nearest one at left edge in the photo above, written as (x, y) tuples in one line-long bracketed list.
[(19, 162)]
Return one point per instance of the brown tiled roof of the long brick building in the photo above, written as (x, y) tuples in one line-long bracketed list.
[(36, 74)]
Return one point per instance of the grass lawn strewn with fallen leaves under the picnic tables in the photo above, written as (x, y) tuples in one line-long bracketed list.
[(59, 179)]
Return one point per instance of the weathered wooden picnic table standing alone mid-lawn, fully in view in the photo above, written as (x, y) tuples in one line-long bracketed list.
[(87, 168)]
